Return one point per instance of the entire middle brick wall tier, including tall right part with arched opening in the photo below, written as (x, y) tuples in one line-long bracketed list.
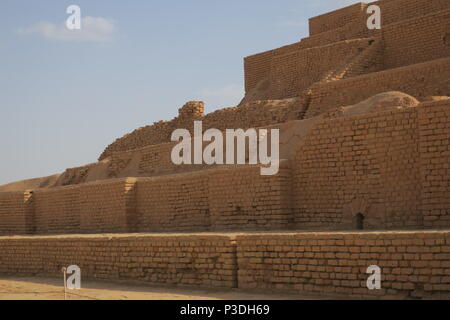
[(391, 167)]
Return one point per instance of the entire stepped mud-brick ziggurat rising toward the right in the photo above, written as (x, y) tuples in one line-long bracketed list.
[(364, 118)]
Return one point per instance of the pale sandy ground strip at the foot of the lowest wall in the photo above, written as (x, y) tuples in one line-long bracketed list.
[(52, 289)]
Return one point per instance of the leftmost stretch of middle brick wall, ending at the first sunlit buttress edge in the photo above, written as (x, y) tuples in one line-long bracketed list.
[(106, 206)]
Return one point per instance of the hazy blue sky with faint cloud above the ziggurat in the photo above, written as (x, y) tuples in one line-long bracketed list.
[(65, 96)]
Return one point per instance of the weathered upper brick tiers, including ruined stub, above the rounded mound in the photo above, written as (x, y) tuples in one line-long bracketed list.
[(334, 66)]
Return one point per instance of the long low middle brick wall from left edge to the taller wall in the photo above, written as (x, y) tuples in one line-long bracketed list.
[(196, 201)]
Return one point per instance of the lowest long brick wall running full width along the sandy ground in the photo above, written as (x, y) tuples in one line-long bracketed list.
[(413, 264)]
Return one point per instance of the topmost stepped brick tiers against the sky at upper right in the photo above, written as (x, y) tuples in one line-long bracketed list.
[(412, 32)]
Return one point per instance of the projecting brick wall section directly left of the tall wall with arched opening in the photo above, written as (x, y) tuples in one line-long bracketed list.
[(242, 199)]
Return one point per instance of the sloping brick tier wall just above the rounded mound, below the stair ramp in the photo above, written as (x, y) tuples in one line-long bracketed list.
[(420, 80)]
